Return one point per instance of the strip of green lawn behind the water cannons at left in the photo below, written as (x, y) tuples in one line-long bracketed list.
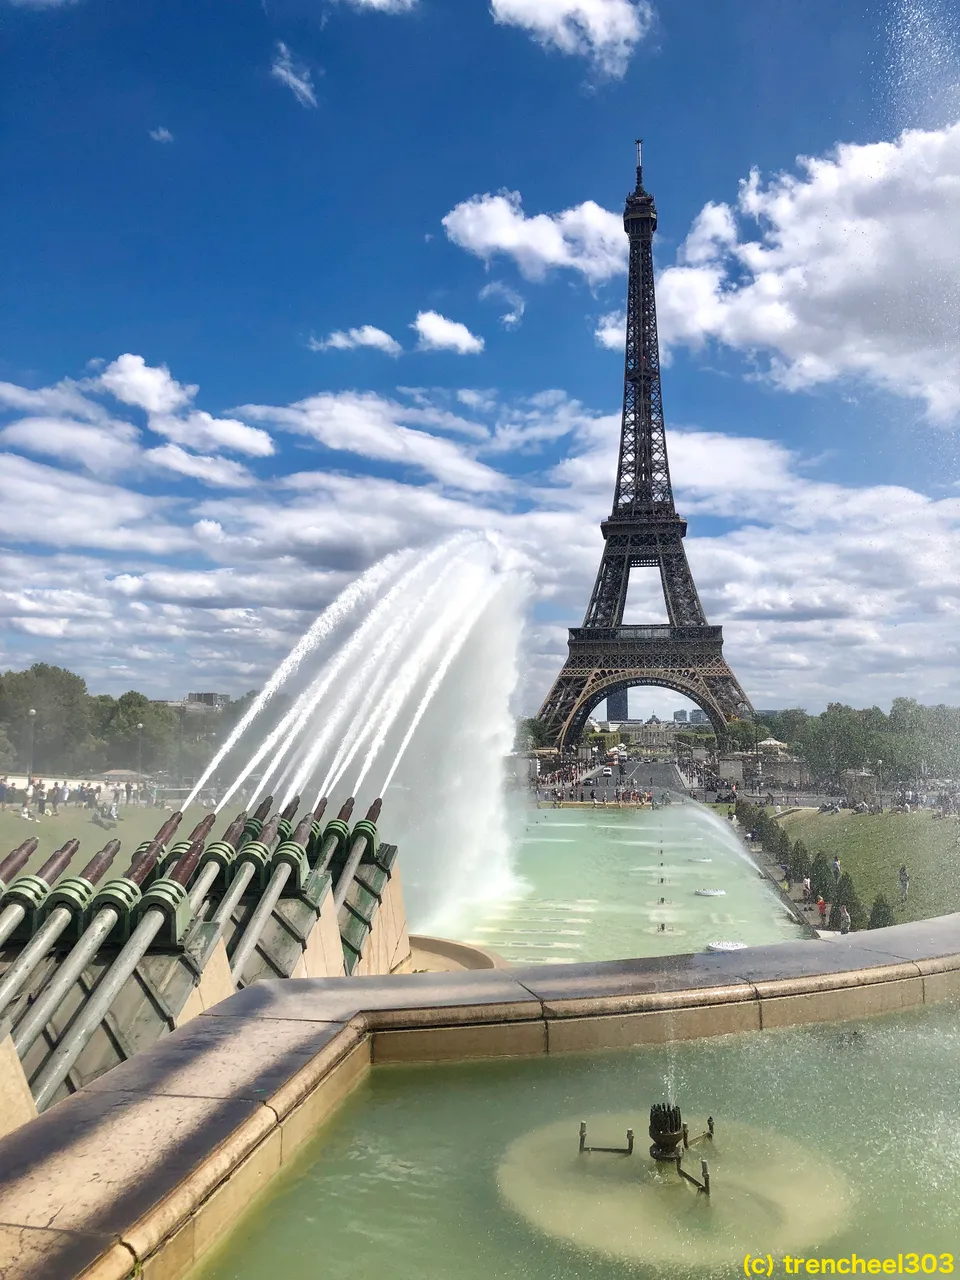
[(135, 826)]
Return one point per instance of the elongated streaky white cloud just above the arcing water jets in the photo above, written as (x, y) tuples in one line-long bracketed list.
[(373, 427)]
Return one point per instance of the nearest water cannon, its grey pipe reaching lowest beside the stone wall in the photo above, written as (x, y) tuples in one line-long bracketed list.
[(166, 904)]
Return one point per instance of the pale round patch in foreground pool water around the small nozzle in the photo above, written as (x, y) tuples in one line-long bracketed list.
[(757, 1185)]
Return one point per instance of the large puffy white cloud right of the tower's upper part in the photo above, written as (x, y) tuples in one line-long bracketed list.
[(856, 272)]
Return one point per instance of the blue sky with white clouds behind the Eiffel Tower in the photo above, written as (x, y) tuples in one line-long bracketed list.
[(294, 285)]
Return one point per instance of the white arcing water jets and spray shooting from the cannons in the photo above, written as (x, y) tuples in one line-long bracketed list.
[(403, 689)]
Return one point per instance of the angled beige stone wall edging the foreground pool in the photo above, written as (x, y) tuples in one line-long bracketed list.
[(145, 1169)]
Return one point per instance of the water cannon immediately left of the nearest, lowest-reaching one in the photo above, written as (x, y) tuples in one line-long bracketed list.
[(113, 906)]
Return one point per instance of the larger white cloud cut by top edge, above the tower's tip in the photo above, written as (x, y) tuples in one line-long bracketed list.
[(606, 31)]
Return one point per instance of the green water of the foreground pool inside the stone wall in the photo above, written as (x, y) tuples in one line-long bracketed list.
[(830, 1141)]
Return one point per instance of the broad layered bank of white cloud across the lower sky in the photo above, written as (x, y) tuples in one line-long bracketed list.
[(826, 591)]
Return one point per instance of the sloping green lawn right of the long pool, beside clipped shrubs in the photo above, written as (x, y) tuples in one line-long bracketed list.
[(874, 847)]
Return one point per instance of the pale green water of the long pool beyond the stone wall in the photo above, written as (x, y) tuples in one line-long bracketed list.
[(607, 884)]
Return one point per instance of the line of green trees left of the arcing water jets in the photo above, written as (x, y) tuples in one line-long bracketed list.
[(76, 733)]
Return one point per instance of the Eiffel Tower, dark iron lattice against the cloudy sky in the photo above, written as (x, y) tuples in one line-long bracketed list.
[(644, 531)]
